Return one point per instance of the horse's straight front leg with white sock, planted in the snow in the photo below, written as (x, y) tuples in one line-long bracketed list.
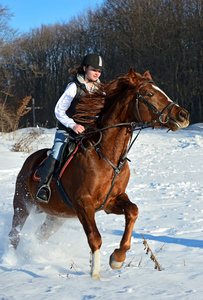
[(86, 216)]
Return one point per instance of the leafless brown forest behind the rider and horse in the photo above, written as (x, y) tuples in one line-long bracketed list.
[(163, 36)]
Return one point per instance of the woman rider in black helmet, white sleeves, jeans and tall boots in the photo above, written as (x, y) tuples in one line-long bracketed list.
[(87, 75)]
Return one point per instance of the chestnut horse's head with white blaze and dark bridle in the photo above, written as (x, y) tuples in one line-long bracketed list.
[(151, 106)]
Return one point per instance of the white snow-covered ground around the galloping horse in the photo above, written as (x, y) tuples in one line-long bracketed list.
[(167, 185)]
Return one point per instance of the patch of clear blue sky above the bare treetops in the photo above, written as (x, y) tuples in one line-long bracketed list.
[(33, 13)]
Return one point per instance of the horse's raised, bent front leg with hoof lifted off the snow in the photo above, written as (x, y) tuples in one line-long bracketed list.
[(122, 205)]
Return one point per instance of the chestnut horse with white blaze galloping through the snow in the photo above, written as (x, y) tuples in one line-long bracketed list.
[(97, 176)]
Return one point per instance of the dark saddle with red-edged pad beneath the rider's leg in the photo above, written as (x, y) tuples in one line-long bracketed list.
[(68, 153)]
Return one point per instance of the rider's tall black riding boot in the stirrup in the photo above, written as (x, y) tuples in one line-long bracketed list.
[(44, 192)]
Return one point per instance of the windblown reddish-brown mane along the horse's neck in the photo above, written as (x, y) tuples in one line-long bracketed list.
[(94, 106)]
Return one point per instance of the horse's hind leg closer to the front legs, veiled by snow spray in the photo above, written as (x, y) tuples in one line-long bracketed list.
[(51, 225)]
